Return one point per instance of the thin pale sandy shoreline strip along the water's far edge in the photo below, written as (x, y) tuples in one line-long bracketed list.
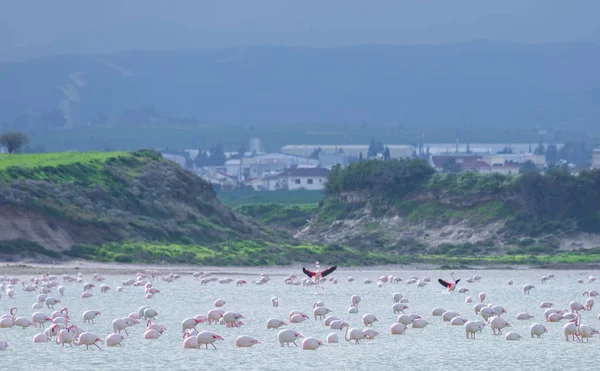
[(29, 267)]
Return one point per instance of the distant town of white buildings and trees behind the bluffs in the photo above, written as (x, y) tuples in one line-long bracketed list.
[(306, 166)]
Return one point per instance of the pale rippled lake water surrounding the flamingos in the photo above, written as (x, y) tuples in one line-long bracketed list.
[(438, 346)]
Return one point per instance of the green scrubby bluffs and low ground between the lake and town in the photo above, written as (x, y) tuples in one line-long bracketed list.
[(137, 207)]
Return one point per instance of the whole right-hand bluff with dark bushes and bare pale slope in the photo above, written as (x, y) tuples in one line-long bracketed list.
[(402, 206)]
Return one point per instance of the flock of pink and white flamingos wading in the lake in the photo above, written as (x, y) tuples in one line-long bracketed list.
[(57, 326)]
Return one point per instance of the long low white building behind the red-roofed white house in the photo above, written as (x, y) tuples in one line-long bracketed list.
[(351, 150)]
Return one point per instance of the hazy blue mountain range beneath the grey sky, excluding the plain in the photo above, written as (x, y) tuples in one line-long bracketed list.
[(467, 85)]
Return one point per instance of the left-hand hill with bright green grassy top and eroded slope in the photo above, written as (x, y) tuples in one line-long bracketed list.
[(64, 200)]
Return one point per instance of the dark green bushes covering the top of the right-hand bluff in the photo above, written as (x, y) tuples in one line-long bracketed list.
[(533, 203)]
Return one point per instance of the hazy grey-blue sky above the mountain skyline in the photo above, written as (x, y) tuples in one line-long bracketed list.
[(40, 27)]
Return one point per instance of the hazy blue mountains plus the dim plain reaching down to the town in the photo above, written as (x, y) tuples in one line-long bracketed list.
[(190, 98)]
